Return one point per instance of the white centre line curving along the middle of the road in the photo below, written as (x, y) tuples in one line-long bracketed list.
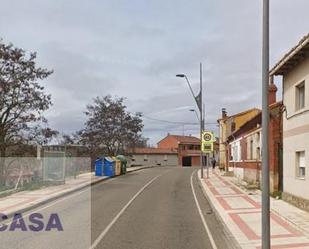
[(105, 231)]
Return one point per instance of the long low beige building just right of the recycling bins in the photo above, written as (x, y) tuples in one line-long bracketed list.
[(153, 157)]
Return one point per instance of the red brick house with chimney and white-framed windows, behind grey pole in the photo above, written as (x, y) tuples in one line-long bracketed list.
[(245, 146)]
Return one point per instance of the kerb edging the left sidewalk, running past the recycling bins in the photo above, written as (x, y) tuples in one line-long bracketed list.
[(41, 203)]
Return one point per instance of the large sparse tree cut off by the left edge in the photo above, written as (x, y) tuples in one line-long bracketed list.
[(22, 99)]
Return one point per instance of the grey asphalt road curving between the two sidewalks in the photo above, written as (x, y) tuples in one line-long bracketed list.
[(148, 209)]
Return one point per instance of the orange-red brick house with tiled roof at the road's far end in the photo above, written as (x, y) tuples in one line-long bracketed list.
[(187, 147)]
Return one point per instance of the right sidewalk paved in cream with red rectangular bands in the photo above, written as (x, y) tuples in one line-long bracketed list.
[(240, 212)]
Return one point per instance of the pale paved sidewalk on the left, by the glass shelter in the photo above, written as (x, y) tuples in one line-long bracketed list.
[(27, 200)]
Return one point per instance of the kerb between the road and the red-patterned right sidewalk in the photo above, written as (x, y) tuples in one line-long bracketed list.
[(234, 244)]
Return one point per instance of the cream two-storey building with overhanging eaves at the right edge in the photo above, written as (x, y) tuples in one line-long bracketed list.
[(294, 69)]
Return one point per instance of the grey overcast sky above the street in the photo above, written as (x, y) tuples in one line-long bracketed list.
[(134, 48)]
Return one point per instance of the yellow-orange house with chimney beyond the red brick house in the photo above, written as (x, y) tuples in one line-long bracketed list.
[(228, 125)]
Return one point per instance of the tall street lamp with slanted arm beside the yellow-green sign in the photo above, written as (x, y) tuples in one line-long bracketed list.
[(199, 101)]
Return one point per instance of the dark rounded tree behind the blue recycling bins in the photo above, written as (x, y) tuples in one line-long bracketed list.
[(110, 128)]
